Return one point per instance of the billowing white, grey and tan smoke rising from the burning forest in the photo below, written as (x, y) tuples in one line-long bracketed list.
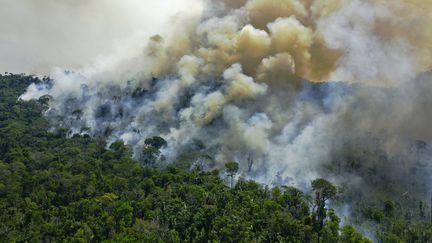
[(304, 89)]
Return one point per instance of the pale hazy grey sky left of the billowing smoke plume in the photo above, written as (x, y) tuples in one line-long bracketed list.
[(38, 35)]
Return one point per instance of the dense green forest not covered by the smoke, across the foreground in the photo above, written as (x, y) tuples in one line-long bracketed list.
[(59, 189)]
